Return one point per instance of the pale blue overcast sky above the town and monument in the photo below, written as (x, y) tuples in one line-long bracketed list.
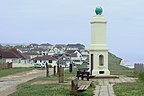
[(68, 21)]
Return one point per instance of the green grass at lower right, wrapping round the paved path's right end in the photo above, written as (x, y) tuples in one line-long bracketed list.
[(131, 89)]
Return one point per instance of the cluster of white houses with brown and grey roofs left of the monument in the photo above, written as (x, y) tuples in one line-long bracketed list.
[(28, 55)]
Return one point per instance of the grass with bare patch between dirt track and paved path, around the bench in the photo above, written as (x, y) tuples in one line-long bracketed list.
[(49, 86)]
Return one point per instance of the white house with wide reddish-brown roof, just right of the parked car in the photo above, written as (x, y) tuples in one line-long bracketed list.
[(45, 59)]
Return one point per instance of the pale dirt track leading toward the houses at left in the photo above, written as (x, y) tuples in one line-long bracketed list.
[(9, 83)]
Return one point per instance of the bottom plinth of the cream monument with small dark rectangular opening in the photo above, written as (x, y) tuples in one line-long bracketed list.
[(103, 72)]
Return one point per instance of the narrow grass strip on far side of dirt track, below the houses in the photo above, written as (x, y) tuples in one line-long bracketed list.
[(6, 72)]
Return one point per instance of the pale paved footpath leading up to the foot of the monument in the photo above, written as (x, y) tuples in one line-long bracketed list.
[(105, 86)]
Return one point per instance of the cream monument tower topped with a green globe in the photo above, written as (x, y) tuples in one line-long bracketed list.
[(98, 56)]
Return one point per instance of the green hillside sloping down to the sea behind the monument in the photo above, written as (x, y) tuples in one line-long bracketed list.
[(114, 63)]
